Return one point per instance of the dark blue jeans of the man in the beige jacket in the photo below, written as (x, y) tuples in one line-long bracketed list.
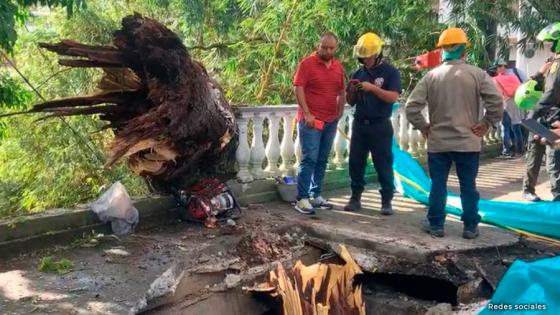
[(466, 164)]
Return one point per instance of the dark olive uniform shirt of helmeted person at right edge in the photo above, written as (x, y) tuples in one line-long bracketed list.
[(550, 101)]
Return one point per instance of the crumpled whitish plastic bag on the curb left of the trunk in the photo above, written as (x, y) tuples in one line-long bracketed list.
[(116, 207)]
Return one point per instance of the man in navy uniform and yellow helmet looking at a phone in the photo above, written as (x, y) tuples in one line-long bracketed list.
[(373, 89)]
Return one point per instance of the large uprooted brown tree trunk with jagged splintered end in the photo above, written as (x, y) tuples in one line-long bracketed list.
[(169, 117)]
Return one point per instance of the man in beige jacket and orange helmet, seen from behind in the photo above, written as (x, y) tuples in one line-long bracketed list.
[(455, 94)]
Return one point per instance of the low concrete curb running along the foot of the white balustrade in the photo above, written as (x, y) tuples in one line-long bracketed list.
[(62, 226)]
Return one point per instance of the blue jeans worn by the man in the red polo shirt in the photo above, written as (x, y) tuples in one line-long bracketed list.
[(315, 147)]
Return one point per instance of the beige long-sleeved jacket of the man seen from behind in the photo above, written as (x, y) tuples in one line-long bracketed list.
[(455, 94)]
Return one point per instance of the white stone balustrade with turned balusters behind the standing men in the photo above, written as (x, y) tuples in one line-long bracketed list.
[(252, 156)]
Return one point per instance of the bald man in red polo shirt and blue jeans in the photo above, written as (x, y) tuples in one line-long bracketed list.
[(319, 88)]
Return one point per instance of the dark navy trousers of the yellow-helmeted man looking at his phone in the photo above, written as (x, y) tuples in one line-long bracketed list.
[(375, 138)]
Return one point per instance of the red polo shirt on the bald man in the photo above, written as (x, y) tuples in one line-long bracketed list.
[(321, 85)]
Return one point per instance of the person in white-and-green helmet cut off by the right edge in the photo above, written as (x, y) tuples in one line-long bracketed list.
[(548, 107)]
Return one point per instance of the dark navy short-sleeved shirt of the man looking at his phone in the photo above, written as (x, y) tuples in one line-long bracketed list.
[(368, 105)]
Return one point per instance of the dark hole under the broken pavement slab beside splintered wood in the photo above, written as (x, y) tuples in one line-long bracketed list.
[(419, 287)]
